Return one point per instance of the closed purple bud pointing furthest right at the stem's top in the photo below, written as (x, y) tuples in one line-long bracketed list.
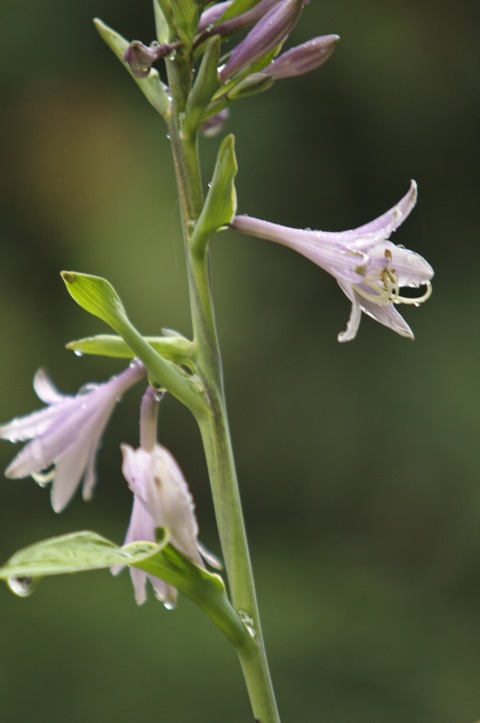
[(303, 58)]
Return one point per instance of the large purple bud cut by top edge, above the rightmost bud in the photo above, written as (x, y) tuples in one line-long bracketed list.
[(271, 30)]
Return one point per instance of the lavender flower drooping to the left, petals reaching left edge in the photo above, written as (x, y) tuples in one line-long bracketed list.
[(65, 435)]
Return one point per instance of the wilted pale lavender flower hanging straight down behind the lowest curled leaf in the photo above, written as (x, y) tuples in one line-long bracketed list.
[(161, 499)]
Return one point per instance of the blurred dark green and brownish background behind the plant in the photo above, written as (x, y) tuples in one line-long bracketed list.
[(359, 464)]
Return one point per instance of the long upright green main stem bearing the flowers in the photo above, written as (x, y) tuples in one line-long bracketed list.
[(213, 421)]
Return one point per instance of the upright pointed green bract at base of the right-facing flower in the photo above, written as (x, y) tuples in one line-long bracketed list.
[(221, 202)]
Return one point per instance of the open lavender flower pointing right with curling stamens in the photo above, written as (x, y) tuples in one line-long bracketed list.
[(369, 268)]
